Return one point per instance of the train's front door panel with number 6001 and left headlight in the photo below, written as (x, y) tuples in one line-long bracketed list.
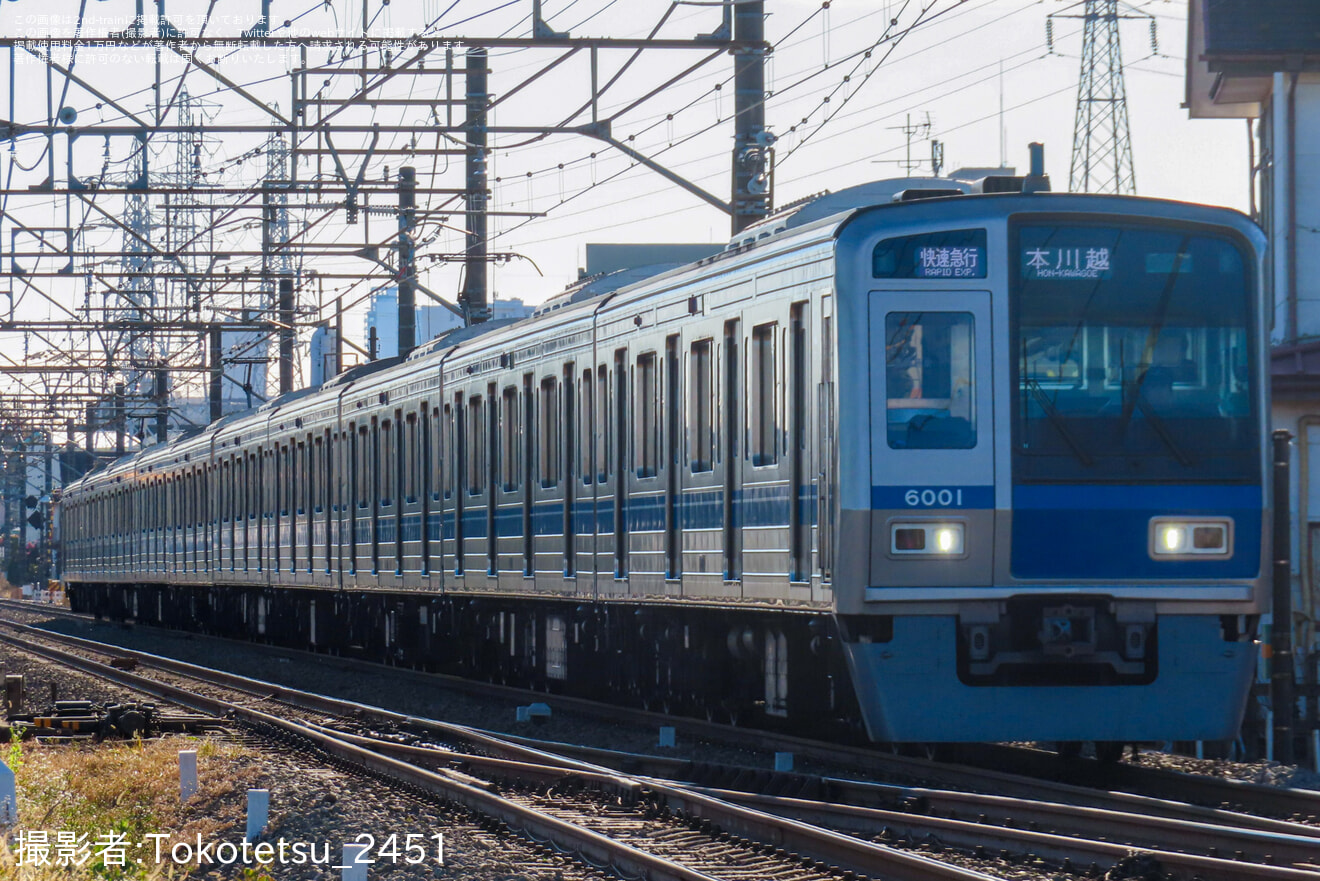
[(933, 464)]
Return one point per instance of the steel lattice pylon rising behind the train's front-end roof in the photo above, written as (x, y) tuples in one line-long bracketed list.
[(1103, 146)]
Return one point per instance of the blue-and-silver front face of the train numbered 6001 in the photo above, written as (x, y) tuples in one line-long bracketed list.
[(1063, 532)]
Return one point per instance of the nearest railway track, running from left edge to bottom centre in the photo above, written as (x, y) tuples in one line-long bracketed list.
[(640, 829)]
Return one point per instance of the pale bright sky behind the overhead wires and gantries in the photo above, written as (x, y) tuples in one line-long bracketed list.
[(839, 114)]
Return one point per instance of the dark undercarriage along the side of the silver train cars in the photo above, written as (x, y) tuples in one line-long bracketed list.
[(754, 668)]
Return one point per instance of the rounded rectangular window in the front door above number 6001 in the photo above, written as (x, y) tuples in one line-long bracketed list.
[(930, 381)]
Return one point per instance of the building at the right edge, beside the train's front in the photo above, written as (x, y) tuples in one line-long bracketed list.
[(1260, 61)]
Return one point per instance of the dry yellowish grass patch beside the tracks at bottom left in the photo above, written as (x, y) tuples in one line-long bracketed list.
[(122, 789)]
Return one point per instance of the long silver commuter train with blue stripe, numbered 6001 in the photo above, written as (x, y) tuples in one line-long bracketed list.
[(954, 463)]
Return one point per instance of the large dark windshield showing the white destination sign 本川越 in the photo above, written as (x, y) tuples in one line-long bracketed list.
[(1135, 357)]
